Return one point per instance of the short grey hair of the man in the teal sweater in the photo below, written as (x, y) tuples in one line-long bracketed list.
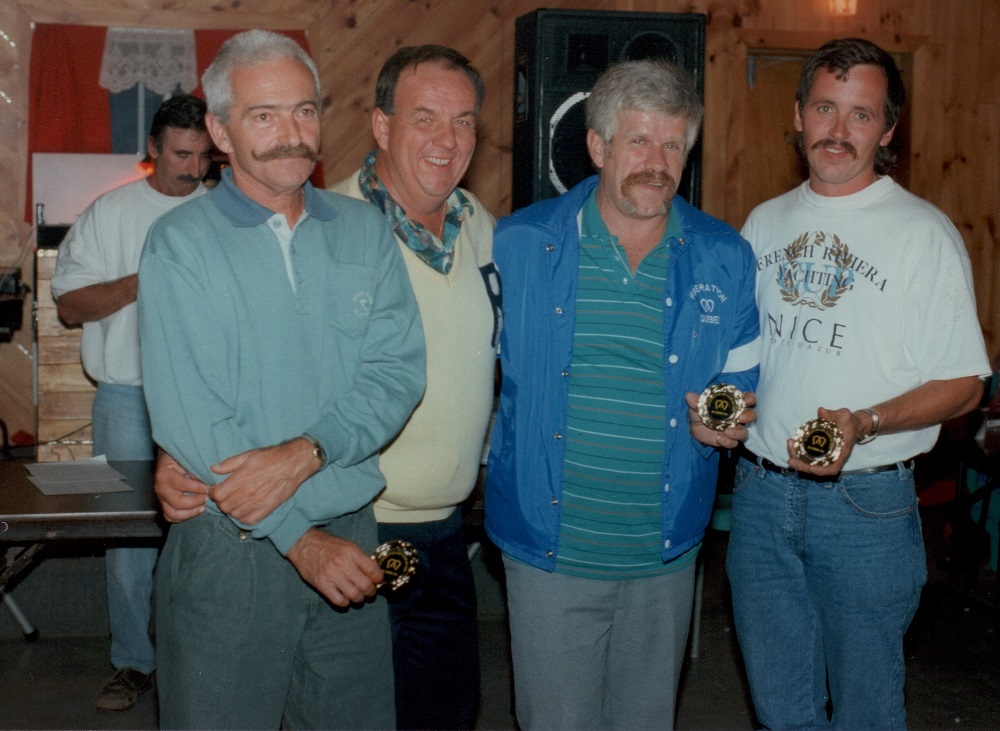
[(249, 48)]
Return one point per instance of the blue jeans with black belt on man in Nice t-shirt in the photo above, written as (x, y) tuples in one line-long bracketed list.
[(825, 577)]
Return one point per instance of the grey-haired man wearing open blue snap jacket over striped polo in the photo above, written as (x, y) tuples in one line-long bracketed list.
[(621, 303)]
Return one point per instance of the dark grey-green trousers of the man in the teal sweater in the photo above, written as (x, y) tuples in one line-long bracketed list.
[(244, 643)]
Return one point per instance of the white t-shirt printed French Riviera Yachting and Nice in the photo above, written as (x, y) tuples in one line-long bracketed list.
[(862, 298)]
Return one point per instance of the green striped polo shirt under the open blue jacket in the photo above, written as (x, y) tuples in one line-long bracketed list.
[(611, 516)]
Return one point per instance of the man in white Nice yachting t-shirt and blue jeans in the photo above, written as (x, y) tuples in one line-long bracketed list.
[(867, 320)]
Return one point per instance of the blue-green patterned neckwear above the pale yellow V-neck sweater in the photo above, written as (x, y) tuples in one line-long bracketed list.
[(436, 253)]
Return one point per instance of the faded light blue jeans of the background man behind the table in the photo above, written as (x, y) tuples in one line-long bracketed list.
[(122, 432)]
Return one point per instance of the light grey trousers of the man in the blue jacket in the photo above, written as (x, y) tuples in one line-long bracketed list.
[(594, 654)]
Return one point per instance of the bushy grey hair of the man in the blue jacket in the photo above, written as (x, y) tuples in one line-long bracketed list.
[(654, 86)]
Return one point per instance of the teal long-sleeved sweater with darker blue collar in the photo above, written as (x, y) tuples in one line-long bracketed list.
[(234, 359)]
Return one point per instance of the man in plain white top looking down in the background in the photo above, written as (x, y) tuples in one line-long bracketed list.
[(95, 284)]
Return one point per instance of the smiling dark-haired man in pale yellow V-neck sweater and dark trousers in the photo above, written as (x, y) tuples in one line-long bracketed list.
[(427, 102)]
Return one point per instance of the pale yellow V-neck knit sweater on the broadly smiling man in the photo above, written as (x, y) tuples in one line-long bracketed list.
[(433, 464)]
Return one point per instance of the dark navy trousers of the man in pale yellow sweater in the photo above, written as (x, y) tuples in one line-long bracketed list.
[(435, 649)]
